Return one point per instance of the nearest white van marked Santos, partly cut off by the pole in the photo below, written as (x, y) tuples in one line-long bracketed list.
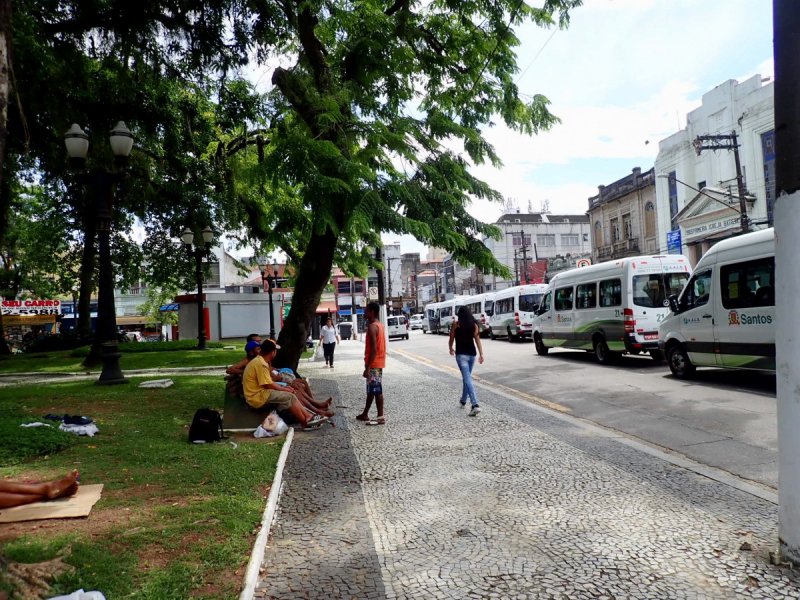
[(725, 316)]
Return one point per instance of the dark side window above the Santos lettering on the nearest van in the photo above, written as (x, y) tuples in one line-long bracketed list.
[(748, 284)]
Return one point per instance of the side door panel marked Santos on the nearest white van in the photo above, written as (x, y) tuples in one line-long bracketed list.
[(747, 314)]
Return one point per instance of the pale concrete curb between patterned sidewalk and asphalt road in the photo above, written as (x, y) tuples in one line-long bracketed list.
[(712, 473)]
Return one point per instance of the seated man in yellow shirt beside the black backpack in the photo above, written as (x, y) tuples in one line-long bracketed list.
[(260, 390)]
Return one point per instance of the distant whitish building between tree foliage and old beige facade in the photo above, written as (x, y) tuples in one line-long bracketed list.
[(544, 236)]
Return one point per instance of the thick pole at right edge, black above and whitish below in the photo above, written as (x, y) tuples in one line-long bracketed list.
[(786, 36)]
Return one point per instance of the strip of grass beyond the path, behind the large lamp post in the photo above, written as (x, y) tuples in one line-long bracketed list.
[(62, 361)]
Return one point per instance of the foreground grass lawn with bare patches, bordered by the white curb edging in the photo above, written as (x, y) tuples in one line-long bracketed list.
[(176, 520)]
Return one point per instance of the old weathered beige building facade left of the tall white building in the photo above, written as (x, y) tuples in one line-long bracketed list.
[(623, 217)]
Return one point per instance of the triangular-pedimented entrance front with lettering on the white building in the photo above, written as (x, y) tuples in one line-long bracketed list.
[(711, 216)]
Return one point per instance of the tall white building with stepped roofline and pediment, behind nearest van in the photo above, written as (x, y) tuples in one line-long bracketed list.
[(700, 221)]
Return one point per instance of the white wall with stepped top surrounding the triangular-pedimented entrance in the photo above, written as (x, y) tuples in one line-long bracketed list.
[(746, 107)]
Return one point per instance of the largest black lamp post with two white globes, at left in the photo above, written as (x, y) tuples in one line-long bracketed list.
[(103, 181)]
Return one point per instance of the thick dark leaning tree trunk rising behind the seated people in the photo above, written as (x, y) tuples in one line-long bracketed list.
[(313, 275)]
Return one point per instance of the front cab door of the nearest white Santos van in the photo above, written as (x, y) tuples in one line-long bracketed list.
[(698, 326)]
